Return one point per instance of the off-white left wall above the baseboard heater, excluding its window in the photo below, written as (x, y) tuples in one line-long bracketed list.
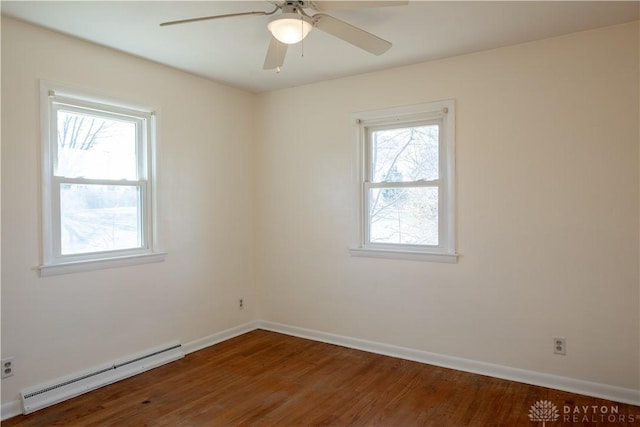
[(59, 325)]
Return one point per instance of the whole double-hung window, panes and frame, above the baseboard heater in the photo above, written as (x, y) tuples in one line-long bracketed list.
[(98, 204)]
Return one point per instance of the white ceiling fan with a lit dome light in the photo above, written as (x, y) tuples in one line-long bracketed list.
[(293, 24)]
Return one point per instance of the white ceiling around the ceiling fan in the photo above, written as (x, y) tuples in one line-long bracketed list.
[(232, 50)]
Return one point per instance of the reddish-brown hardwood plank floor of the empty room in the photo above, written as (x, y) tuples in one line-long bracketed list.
[(268, 379)]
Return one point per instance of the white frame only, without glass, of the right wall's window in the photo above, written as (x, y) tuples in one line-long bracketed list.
[(442, 113)]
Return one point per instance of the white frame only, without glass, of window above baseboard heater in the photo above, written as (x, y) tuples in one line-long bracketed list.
[(52, 98)]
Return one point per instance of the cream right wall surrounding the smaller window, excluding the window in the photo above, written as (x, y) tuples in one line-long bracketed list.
[(547, 210)]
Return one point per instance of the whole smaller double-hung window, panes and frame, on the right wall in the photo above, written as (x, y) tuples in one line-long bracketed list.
[(406, 182)]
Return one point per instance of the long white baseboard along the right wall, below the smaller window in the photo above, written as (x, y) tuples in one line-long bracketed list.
[(604, 391)]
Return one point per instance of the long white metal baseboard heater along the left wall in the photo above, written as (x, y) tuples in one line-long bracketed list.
[(66, 388)]
